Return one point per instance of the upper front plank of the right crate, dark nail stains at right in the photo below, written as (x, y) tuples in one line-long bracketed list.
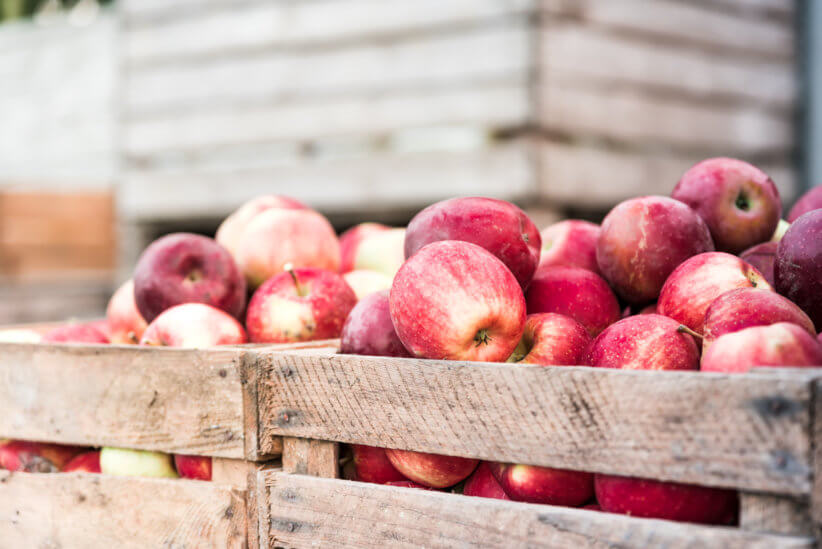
[(739, 431)]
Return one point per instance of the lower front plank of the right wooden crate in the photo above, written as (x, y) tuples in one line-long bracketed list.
[(306, 511)]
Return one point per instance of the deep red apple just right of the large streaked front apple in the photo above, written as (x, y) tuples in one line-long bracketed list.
[(575, 292)]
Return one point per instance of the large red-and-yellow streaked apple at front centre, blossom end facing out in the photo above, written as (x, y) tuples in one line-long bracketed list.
[(453, 300)]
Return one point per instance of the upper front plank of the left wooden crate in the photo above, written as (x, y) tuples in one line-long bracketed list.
[(173, 400)]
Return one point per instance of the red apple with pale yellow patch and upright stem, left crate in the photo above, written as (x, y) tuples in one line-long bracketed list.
[(299, 305)]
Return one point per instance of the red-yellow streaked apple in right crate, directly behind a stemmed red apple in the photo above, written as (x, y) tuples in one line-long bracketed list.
[(694, 285)]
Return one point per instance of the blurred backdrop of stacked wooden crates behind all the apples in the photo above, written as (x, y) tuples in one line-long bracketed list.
[(123, 120)]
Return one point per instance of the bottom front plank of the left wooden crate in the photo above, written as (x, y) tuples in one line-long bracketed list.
[(97, 511)]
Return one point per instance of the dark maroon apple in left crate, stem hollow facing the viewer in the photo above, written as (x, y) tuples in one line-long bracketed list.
[(187, 268)]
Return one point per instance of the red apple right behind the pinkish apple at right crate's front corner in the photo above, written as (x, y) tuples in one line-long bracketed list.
[(747, 307)]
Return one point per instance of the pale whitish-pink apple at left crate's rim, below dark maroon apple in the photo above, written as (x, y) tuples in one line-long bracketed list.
[(194, 325)]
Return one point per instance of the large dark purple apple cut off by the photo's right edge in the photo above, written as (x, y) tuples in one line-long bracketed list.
[(798, 265)]
